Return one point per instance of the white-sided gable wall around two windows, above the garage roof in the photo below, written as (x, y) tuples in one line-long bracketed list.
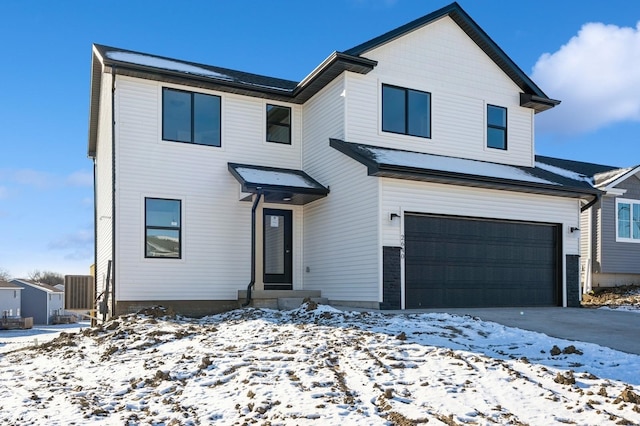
[(441, 59)]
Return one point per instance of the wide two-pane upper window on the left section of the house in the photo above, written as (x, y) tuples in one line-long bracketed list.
[(190, 117)]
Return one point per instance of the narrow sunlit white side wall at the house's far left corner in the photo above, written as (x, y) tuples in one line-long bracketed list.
[(104, 176)]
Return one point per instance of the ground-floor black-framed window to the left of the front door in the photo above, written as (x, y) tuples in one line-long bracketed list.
[(163, 234)]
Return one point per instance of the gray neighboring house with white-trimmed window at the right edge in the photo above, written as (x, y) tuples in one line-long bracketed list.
[(610, 228)]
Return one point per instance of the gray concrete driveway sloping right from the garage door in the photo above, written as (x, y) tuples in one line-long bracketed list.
[(615, 329)]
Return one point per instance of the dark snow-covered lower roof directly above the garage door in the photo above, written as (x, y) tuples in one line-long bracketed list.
[(400, 164)]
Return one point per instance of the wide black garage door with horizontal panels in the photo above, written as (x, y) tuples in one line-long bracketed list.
[(458, 262)]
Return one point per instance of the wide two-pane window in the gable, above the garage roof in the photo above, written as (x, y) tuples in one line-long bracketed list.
[(406, 111)]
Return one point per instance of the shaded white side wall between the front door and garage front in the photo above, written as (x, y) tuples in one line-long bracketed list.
[(341, 242)]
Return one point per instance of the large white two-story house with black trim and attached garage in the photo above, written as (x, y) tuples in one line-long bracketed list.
[(398, 174)]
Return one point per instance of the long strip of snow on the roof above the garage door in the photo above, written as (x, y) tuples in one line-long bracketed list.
[(451, 164)]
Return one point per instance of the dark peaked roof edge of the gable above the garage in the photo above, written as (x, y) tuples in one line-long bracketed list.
[(533, 96)]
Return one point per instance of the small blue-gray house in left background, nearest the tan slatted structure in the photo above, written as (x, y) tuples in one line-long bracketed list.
[(40, 301)]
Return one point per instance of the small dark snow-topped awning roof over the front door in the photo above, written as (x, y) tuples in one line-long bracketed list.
[(282, 186)]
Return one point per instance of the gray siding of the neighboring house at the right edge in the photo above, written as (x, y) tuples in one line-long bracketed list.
[(618, 257)]
